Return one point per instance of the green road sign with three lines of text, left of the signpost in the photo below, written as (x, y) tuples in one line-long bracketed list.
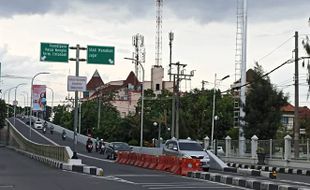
[(54, 52)]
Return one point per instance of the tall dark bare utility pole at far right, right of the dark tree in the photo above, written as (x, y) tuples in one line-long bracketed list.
[(296, 115)]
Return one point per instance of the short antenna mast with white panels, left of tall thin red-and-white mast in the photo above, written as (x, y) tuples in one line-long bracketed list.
[(139, 52)]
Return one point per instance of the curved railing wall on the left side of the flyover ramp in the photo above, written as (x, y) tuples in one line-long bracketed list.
[(17, 140)]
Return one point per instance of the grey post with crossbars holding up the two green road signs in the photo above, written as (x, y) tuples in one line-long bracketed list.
[(76, 109)]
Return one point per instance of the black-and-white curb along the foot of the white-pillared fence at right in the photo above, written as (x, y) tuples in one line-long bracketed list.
[(270, 169)]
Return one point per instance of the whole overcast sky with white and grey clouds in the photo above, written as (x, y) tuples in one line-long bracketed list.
[(205, 32)]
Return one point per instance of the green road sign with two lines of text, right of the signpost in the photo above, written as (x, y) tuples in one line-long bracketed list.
[(100, 55)]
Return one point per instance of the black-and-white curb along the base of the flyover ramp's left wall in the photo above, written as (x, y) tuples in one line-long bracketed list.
[(92, 170)]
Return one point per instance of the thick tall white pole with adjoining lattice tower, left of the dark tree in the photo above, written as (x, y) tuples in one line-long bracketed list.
[(240, 70)]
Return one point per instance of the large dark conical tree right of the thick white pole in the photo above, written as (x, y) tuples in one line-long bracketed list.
[(262, 109)]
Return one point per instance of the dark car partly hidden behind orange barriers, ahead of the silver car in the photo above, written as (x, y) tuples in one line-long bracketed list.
[(113, 148)]
